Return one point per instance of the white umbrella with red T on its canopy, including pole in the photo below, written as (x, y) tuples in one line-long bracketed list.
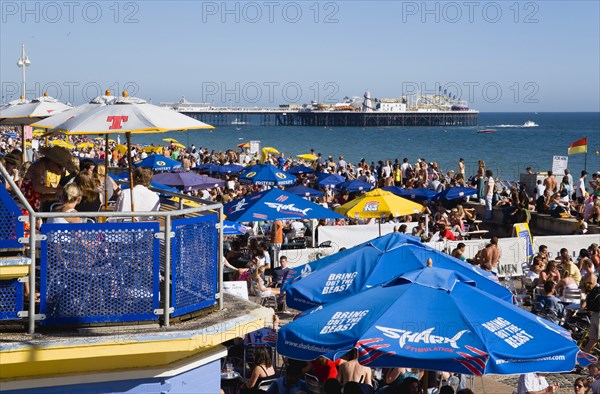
[(128, 115)]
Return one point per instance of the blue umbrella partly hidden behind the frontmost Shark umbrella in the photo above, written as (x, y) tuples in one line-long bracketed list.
[(373, 263)]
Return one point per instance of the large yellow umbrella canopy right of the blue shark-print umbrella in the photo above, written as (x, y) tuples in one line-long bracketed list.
[(378, 203)]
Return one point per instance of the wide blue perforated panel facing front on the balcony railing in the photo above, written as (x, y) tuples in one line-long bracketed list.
[(99, 272)]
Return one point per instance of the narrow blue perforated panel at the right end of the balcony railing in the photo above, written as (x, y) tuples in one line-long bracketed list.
[(194, 262)]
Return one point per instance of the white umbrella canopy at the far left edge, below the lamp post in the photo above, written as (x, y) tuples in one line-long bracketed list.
[(24, 113)]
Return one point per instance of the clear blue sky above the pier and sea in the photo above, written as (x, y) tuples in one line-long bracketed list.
[(501, 56)]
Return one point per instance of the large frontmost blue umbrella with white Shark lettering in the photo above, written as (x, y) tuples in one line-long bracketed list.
[(431, 319)]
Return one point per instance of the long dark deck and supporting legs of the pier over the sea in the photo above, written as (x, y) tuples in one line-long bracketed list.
[(281, 117)]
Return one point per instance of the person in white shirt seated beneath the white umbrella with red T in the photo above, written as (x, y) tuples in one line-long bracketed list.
[(144, 199)]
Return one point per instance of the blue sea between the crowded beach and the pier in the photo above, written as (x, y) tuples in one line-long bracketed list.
[(507, 152)]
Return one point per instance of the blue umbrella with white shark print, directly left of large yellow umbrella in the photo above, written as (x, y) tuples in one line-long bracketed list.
[(275, 204)]
